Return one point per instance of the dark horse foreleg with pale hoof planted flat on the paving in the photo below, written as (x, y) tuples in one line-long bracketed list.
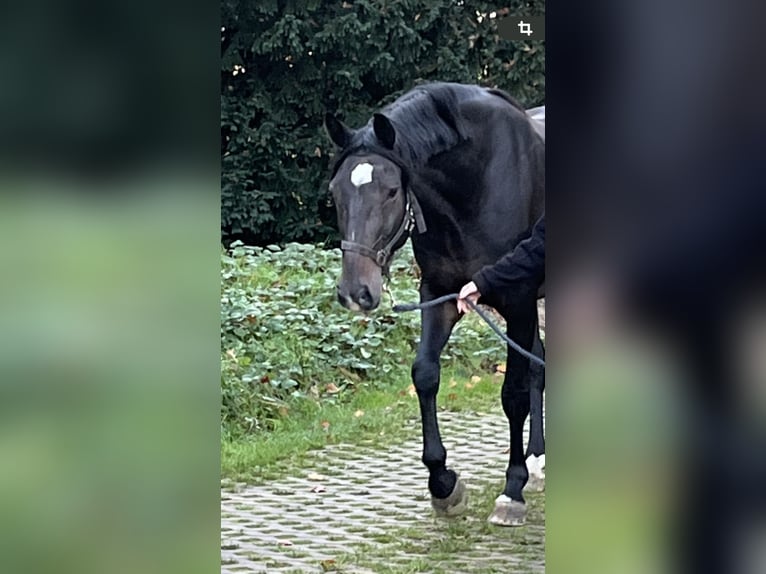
[(510, 507)]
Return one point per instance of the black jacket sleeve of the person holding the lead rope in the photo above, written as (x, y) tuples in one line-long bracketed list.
[(523, 268)]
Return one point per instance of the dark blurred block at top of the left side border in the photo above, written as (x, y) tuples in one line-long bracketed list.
[(101, 91)]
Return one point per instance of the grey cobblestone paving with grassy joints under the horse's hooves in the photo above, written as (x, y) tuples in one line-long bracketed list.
[(351, 497)]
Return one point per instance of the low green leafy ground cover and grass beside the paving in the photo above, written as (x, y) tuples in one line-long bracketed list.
[(284, 337)]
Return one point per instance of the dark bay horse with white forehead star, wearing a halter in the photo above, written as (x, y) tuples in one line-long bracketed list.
[(460, 169)]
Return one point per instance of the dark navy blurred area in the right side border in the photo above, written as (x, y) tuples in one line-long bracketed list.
[(658, 147)]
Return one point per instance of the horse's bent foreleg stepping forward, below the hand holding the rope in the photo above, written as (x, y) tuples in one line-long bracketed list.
[(447, 492)]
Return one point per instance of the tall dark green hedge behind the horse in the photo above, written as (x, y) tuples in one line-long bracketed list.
[(284, 63)]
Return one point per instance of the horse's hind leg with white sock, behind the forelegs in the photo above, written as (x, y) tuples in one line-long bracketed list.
[(536, 447)]
